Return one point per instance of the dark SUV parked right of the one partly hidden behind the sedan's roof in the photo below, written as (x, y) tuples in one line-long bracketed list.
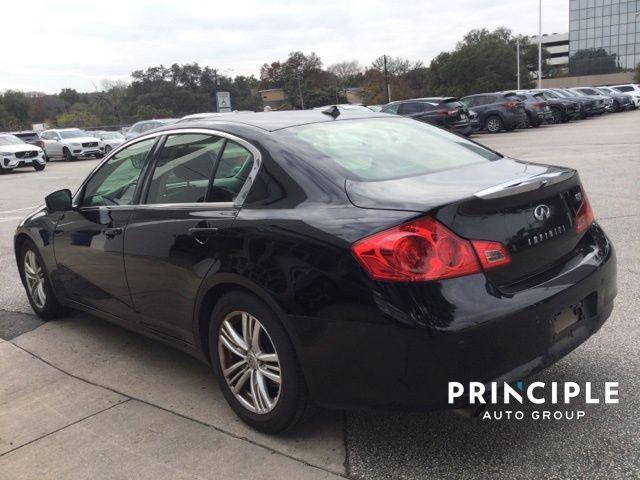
[(497, 111)]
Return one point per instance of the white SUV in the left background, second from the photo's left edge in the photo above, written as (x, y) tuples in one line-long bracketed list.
[(70, 144)]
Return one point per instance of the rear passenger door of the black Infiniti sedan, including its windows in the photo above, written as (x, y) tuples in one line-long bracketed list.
[(180, 230)]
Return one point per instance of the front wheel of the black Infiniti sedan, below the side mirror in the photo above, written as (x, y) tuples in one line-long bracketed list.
[(43, 301)]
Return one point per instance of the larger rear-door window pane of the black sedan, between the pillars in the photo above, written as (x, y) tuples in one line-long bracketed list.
[(184, 169)]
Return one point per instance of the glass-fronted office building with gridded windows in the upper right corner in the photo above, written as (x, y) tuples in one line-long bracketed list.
[(604, 36)]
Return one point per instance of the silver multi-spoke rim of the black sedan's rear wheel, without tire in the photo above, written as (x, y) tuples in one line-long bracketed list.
[(249, 362)]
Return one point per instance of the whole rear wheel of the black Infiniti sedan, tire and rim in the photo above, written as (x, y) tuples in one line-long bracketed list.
[(282, 405)]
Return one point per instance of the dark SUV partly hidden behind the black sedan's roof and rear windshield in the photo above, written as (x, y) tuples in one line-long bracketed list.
[(445, 112)]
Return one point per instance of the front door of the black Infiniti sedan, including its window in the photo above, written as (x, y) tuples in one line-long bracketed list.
[(89, 239)]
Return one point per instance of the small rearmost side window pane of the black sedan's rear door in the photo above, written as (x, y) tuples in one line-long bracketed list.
[(232, 173)]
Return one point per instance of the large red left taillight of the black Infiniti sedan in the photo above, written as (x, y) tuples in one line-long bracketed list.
[(420, 250)]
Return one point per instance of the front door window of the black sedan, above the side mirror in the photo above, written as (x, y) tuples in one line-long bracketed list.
[(116, 180)]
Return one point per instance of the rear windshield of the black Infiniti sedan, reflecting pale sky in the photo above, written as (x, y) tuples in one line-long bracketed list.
[(382, 149)]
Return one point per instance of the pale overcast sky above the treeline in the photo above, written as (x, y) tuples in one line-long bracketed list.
[(48, 45)]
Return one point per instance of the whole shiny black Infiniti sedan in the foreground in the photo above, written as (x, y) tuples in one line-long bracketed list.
[(349, 259)]
